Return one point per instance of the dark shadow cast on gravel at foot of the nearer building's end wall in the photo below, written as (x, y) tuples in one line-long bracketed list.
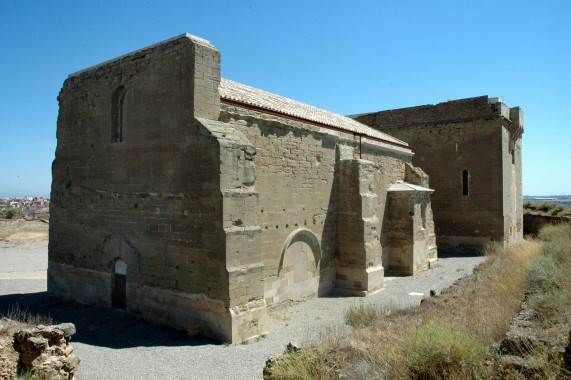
[(110, 328)]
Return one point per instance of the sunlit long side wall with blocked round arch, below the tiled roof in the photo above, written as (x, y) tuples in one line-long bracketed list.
[(298, 178)]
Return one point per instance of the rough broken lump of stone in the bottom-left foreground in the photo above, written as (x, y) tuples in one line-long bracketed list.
[(46, 350)]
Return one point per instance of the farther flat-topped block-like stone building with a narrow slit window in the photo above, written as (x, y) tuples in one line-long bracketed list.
[(471, 149)]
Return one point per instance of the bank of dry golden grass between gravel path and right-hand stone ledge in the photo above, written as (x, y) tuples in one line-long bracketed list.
[(448, 337)]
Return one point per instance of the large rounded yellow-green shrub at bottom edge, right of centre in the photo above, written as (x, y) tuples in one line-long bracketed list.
[(435, 350)]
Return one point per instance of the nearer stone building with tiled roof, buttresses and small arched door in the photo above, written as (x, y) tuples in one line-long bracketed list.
[(197, 202)]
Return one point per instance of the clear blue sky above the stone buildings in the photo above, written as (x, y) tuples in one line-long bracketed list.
[(346, 57)]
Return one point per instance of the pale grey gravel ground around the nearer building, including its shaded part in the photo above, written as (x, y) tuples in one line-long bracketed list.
[(114, 345)]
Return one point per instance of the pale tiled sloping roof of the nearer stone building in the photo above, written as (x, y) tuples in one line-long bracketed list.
[(249, 95)]
